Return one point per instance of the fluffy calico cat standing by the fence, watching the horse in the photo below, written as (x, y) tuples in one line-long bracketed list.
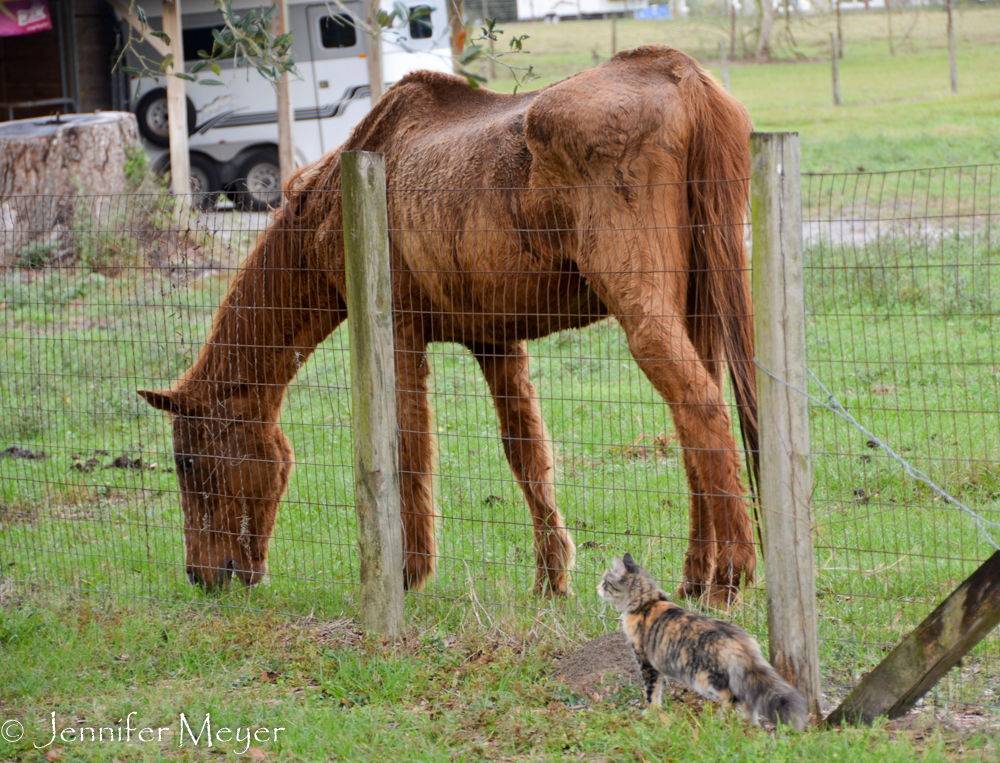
[(717, 659)]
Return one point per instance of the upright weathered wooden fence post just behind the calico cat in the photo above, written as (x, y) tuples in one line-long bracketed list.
[(785, 475)]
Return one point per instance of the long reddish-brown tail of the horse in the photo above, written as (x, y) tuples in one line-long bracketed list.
[(719, 302)]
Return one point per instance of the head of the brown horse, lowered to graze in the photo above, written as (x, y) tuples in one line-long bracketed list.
[(232, 471)]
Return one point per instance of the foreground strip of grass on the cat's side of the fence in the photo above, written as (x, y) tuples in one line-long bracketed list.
[(451, 691)]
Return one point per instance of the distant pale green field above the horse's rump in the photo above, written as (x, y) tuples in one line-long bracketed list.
[(897, 112)]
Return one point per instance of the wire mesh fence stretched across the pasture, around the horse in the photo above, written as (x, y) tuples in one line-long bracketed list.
[(902, 277)]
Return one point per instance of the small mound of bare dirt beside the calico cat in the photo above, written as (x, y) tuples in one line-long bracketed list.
[(600, 667)]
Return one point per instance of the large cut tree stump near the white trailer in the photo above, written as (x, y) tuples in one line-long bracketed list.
[(56, 173)]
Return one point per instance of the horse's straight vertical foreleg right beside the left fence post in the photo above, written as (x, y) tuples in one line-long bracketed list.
[(416, 456)]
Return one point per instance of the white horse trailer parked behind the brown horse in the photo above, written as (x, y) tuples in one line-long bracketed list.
[(233, 129)]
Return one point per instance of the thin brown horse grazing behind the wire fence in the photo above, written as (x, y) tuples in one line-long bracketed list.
[(620, 191)]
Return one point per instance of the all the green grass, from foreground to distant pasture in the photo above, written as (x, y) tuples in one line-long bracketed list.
[(901, 328)]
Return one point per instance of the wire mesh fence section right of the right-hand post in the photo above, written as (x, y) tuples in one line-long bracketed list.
[(901, 283)]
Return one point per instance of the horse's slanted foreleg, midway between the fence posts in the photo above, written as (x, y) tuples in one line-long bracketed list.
[(526, 444)]
